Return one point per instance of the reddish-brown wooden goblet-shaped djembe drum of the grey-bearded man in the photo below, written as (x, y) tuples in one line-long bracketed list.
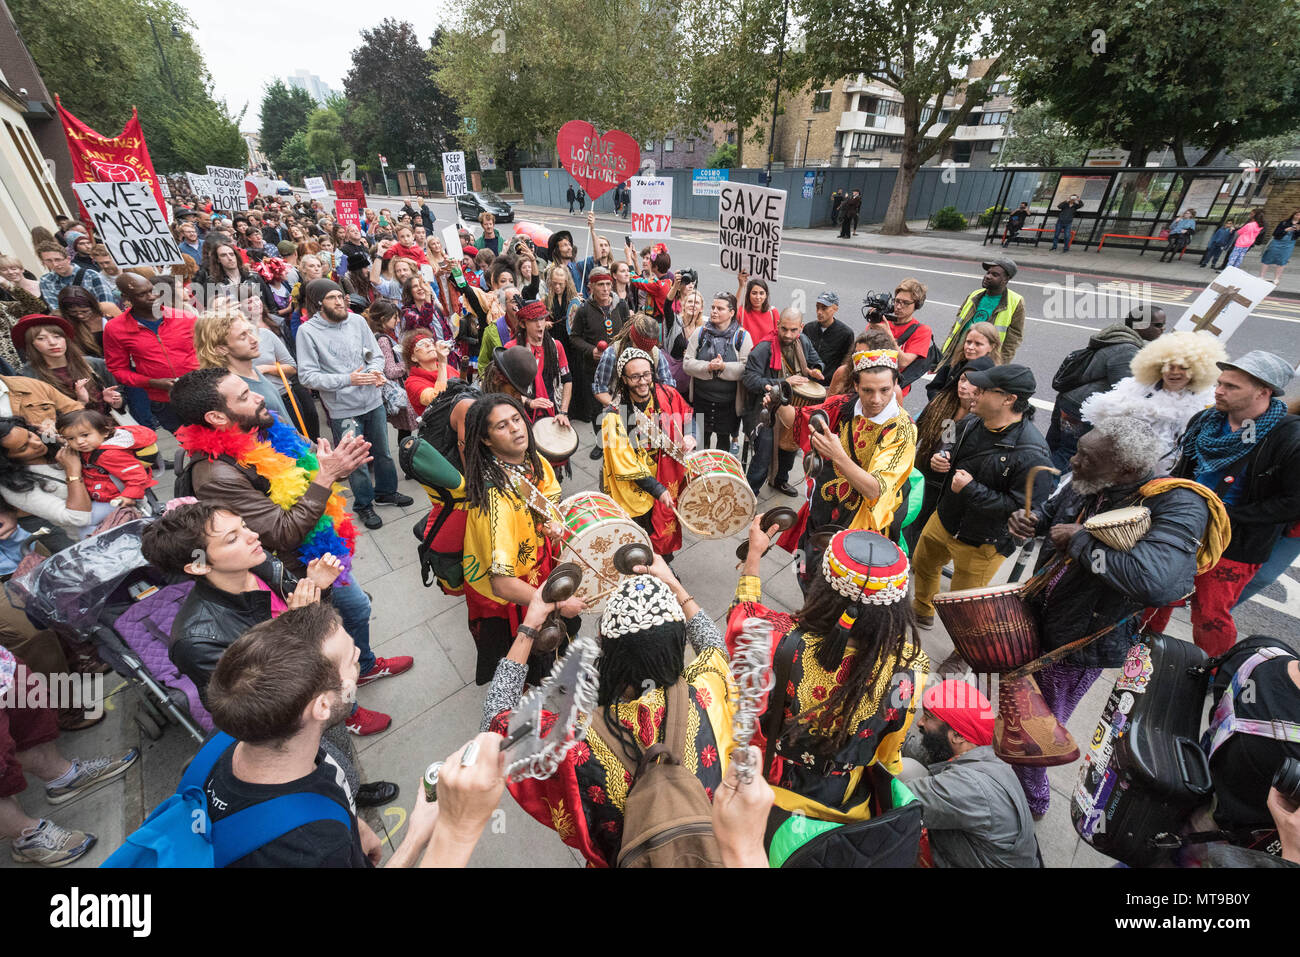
[(995, 633)]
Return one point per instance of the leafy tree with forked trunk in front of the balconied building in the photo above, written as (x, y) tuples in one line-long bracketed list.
[(920, 47)]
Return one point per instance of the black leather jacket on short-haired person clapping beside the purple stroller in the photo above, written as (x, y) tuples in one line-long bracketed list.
[(211, 620)]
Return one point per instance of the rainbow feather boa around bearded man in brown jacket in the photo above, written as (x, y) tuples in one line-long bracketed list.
[(288, 462)]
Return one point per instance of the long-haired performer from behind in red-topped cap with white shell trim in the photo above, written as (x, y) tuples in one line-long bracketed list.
[(850, 674)]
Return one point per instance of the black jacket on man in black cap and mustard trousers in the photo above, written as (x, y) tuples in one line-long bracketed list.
[(998, 462)]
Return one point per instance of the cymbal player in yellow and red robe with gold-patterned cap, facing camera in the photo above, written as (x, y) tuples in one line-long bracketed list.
[(866, 457)]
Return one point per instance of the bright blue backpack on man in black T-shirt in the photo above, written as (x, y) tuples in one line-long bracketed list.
[(180, 833)]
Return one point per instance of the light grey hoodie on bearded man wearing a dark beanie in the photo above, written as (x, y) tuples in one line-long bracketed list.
[(328, 356)]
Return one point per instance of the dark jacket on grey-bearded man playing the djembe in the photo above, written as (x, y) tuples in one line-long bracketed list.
[(1104, 586)]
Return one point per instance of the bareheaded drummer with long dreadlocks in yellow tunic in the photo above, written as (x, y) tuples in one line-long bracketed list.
[(510, 547)]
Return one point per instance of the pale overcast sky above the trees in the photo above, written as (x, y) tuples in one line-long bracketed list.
[(246, 44)]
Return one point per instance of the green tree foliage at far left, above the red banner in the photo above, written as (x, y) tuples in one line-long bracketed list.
[(110, 55)]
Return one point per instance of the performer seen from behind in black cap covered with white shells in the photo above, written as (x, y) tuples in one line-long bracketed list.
[(644, 691)]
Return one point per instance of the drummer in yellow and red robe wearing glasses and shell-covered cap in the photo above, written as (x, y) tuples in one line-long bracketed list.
[(642, 479)]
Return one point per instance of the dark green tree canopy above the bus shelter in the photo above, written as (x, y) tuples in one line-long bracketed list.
[(1184, 73)]
